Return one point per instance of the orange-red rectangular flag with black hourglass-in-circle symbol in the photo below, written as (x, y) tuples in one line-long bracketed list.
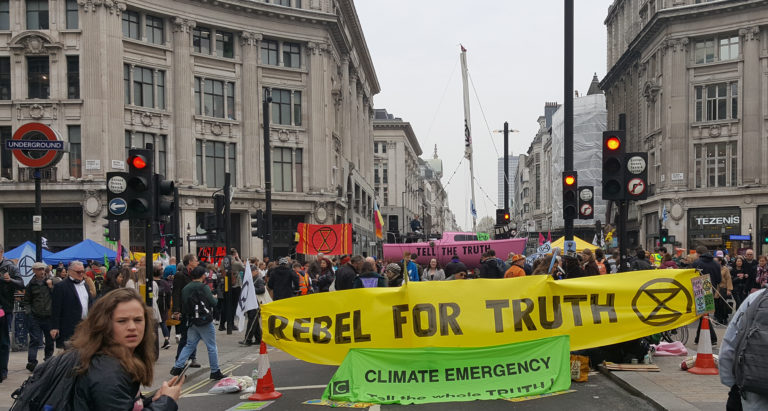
[(335, 239)]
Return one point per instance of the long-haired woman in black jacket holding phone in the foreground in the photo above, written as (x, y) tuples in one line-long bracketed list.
[(115, 345)]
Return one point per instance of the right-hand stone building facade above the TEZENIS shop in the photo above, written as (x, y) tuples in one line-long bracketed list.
[(688, 81)]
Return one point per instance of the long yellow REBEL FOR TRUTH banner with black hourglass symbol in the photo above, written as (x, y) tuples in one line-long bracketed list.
[(594, 311)]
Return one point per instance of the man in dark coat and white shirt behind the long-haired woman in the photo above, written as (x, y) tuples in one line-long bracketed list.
[(71, 301)]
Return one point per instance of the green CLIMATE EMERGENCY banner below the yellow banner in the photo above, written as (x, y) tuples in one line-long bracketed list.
[(435, 374)]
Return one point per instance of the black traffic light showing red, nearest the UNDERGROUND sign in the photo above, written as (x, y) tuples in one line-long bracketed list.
[(139, 196)]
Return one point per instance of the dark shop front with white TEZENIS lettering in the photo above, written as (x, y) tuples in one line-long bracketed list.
[(716, 228)]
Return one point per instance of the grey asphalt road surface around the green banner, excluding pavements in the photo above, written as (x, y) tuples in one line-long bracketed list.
[(299, 381)]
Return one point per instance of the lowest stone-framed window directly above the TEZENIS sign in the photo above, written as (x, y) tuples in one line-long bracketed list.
[(716, 165)]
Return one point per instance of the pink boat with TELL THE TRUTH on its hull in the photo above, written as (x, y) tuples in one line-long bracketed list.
[(464, 245)]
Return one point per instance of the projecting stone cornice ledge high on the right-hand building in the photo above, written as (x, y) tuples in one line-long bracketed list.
[(664, 18)]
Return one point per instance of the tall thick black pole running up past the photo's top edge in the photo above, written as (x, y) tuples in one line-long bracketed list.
[(568, 103)]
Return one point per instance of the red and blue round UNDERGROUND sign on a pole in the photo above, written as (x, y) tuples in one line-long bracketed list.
[(36, 145)]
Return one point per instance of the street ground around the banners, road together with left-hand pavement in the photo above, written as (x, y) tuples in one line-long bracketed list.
[(300, 381)]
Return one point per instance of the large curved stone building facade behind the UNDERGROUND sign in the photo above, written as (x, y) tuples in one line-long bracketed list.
[(190, 77)]
